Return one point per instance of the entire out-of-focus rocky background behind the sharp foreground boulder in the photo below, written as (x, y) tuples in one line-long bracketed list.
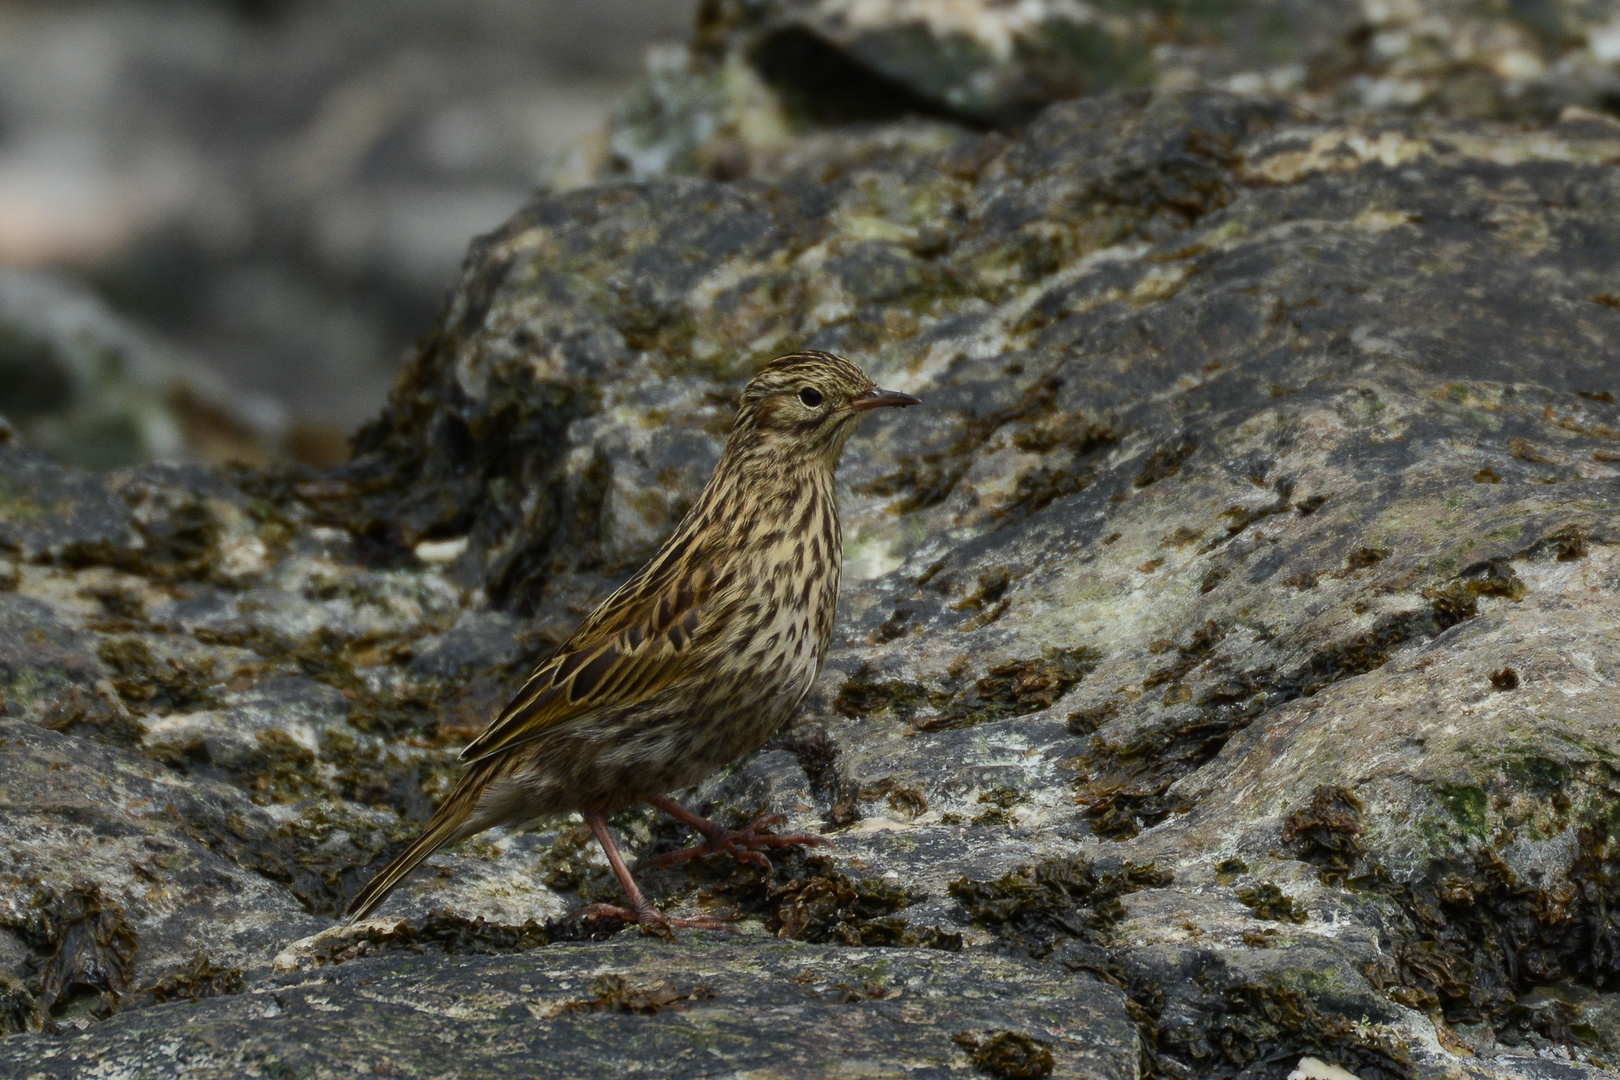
[(224, 221)]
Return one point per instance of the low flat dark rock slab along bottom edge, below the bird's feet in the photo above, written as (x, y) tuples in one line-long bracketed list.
[(633, 1008)]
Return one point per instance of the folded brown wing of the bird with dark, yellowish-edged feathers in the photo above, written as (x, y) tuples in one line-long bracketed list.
[(637, 644)]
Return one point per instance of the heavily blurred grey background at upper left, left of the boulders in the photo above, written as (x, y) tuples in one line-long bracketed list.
[(224, 219)]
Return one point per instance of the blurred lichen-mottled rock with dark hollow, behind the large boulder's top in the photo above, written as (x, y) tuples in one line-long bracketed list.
[(759, 74)]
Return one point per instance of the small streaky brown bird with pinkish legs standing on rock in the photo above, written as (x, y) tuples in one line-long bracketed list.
[(694, 661)]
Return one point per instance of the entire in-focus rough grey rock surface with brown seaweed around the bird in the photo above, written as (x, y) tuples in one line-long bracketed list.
[(1227, 658)]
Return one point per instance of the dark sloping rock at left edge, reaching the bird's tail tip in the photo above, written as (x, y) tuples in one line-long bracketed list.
[(87, 820)]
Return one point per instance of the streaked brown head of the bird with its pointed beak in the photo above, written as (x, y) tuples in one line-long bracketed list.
[(808, 406)]
